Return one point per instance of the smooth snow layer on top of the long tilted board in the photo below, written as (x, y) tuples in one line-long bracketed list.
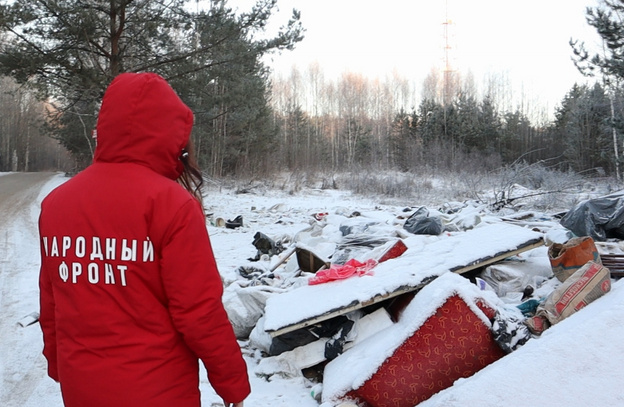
[(425, 257)]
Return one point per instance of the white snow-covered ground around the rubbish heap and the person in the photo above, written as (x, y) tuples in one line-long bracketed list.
[(577, 362)]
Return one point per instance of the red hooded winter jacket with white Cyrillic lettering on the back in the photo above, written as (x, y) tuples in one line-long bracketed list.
[(130, 292)]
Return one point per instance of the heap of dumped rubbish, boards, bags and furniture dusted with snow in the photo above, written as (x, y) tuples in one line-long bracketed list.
[(387, 311)]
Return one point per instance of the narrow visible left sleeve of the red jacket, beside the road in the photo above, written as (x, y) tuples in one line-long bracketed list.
[(47, 319)]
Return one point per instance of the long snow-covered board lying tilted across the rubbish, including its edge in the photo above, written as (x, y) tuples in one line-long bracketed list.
[(410, 272)]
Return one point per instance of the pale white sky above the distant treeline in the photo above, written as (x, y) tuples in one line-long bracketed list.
[(525, 43)]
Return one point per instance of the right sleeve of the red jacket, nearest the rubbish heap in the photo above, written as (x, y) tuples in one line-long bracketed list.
[(194, 289)]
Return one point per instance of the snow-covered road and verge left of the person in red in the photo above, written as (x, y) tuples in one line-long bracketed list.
[(22, 368)]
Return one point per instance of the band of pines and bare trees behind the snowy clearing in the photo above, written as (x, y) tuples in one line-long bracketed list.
[(58, 56)]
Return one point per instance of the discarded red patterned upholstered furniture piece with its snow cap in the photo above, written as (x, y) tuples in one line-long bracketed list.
[(443, 335)]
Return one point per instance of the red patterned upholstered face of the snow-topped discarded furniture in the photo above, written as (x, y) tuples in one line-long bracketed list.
[(451, 344)]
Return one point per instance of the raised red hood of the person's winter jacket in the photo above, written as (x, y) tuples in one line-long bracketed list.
[(142, 120)]
